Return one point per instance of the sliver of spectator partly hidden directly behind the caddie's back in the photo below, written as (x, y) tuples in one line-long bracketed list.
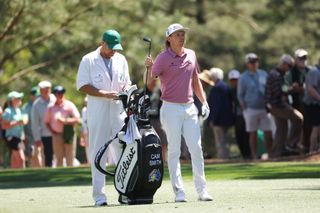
[(84, 132)]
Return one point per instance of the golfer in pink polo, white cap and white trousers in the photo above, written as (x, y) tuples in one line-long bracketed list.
[(177, 69)]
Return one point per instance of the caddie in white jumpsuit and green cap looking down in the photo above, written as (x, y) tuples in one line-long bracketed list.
[(101, 75)]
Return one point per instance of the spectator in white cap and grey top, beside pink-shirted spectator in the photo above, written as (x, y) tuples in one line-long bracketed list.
[(41, 134)]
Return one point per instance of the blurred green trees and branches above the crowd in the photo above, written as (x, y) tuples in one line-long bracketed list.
[(45, 40)]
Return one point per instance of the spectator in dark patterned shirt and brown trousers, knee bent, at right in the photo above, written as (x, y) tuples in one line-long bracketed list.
[(276, 97)]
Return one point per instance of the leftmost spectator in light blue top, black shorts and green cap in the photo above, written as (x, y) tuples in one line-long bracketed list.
[(13, 121)]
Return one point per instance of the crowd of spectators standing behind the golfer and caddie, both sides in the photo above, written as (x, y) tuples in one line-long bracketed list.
[(284, 104)]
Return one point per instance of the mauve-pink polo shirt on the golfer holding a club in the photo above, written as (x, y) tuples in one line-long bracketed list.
[(175, 74)]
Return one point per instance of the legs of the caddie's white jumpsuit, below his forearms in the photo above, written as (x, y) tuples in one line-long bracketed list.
[(104, 122)]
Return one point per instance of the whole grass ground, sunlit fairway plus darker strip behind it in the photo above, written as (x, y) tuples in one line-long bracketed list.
[(239, 187)]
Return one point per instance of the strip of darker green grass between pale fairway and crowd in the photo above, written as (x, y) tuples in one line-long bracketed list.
[(236, 171)]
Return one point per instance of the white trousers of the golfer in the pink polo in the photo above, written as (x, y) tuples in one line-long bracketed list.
[(177, 120)]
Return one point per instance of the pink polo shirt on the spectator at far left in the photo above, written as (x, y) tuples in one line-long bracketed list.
[(64, 110)]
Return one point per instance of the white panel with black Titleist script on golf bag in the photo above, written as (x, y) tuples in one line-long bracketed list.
[(125, 167)]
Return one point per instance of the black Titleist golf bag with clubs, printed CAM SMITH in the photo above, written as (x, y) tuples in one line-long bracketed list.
[(139, 171)]
